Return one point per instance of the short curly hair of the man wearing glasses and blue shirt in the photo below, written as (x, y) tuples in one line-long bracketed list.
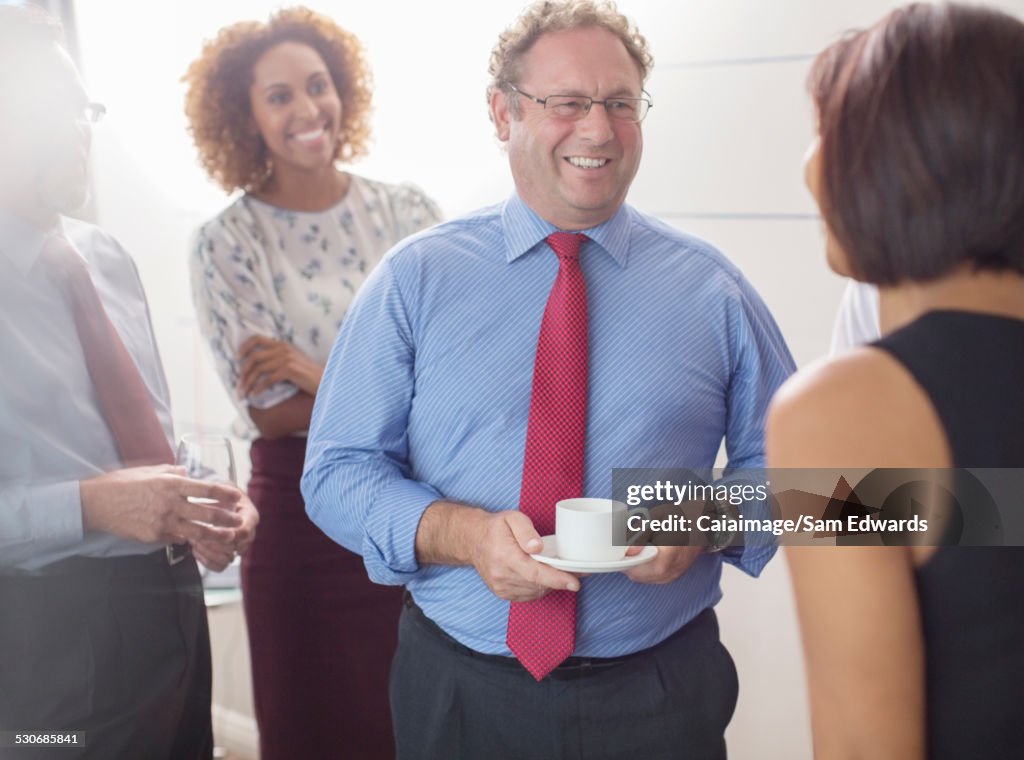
[(545, 17)]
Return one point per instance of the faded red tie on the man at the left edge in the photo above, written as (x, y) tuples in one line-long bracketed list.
[(123, 397)]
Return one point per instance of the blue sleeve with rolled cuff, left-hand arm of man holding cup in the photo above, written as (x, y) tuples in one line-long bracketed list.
[(358, 482)]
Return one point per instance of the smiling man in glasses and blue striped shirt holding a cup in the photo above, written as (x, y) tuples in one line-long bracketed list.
[(416, 450)]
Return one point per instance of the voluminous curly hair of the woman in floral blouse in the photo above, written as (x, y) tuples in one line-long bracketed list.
[(218, 102)]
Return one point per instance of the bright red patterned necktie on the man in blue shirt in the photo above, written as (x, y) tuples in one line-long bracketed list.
[(542, 634)]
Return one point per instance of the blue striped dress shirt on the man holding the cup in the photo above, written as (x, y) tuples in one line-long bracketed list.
[(426, 396)]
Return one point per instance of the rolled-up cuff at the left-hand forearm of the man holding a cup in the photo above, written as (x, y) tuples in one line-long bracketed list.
[(392, 527)]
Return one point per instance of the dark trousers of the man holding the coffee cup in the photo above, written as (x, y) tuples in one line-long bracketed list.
[(671, 701)]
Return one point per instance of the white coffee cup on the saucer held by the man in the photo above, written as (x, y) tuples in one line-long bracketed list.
[(585, 530)]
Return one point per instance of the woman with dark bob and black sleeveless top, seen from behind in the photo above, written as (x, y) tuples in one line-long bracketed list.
[(919, 171)]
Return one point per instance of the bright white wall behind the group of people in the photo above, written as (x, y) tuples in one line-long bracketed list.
[(723, 159)]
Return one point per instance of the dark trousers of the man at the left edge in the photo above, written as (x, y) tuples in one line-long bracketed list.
[(116, 648)]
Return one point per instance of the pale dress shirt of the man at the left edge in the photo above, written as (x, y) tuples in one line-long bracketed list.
[(53, 433)]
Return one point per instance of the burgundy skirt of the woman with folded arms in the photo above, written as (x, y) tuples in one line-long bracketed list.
[(322, 636)]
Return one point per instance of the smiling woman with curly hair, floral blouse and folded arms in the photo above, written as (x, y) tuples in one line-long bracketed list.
[(273, 108)]
